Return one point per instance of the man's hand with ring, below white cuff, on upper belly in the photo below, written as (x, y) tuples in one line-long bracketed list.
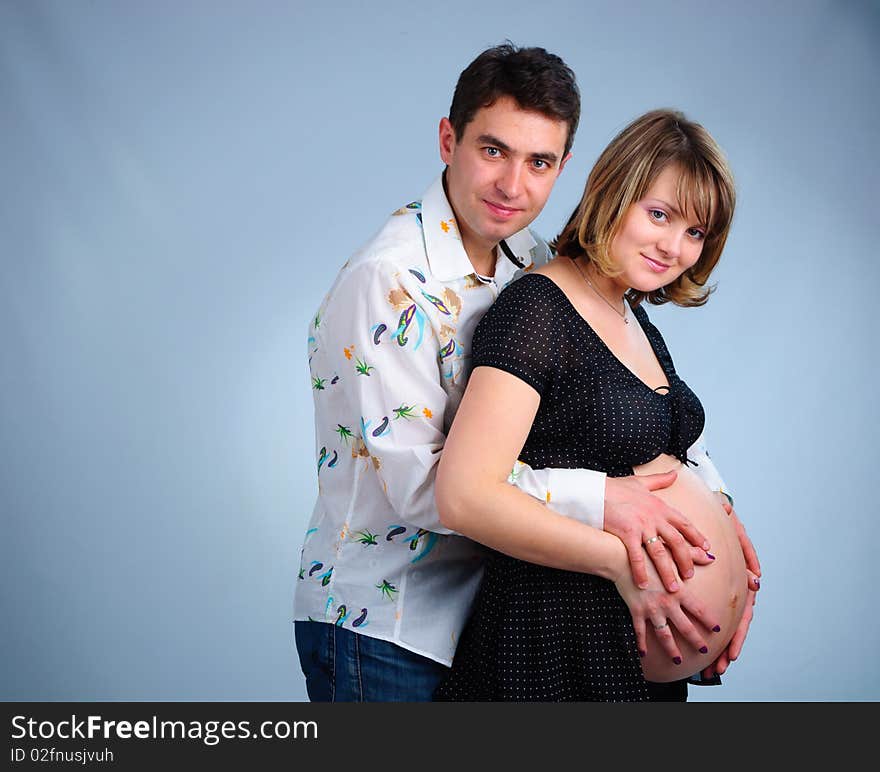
[(637, 517)]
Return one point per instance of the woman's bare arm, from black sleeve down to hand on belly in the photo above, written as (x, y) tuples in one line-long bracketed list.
[(475, 500)]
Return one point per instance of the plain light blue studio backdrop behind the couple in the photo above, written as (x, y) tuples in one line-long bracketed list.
[(181, 182)]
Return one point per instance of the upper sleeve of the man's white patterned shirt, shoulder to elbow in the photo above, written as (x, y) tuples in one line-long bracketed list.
[(378, 337)]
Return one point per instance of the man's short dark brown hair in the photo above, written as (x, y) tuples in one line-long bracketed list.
[(534, 78)]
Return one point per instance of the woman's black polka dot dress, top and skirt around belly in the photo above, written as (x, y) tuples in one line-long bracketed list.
[(542, 634)]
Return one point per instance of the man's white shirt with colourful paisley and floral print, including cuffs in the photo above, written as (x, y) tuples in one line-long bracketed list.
[(389, 357)]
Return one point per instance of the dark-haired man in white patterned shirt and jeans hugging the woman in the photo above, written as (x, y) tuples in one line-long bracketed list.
[(383, 589)]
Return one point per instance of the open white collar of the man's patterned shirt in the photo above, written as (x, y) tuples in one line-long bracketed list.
[(446, 255)]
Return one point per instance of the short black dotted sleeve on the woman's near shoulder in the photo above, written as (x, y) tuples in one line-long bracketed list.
[(520, 332)]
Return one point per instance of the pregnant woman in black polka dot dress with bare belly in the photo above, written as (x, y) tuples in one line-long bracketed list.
[(569, 372)]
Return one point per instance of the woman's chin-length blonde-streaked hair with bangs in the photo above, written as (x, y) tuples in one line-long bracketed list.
[(622, 176)]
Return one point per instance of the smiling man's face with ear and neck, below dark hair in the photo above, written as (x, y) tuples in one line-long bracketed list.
[(501, 172)]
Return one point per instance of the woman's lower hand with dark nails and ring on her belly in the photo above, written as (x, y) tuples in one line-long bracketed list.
[(664, 610)]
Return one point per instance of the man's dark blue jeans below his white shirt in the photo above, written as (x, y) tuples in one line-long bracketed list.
[(342, 666)]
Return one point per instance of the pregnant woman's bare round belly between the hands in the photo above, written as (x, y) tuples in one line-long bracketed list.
[(721, 585)]
